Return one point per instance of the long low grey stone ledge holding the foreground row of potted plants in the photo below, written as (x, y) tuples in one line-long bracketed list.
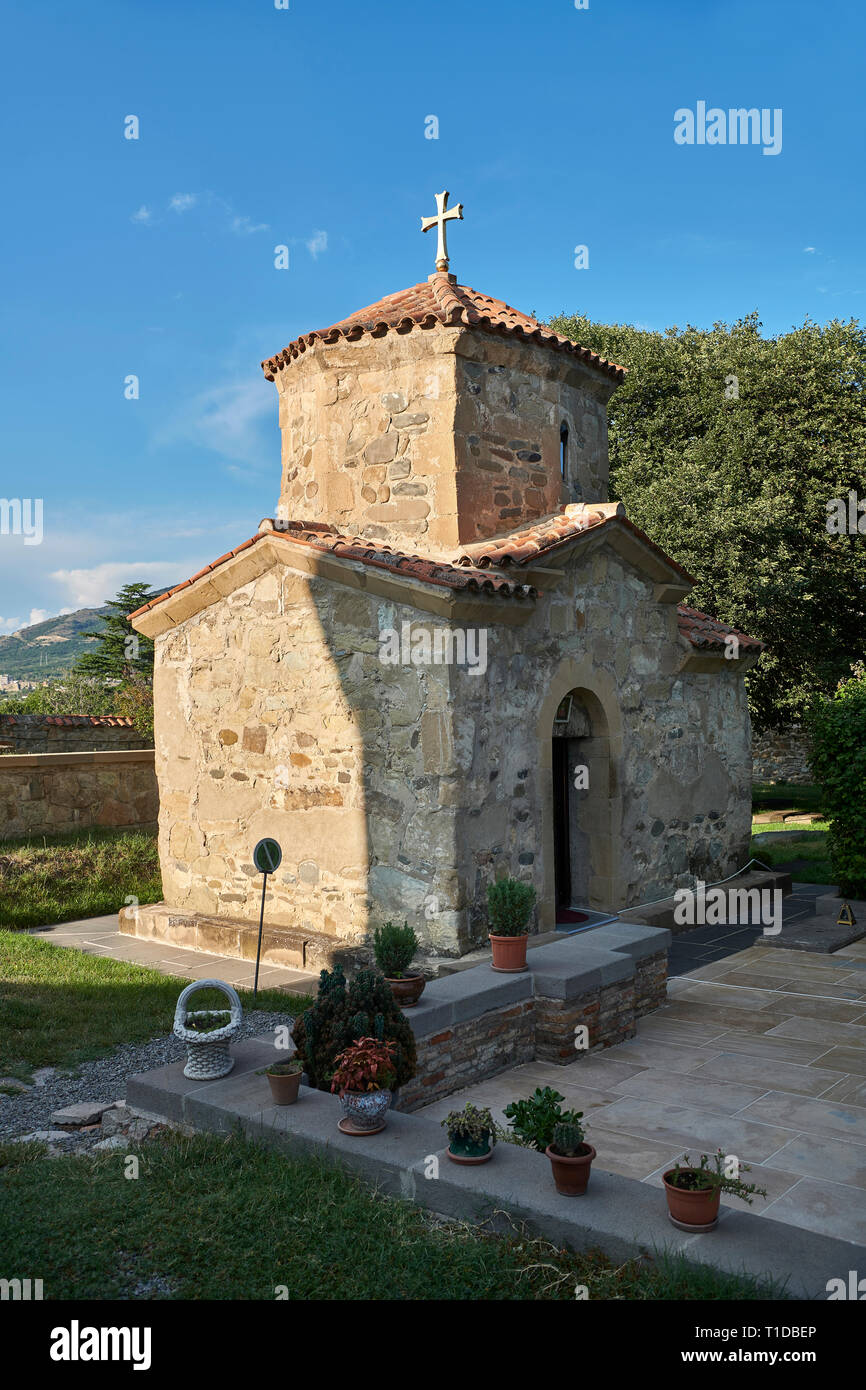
[(619, 1216)]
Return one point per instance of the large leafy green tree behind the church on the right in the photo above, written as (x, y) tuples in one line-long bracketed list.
[(728, 450)]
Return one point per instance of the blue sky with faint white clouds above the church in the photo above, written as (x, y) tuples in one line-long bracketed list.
[(305, 127)]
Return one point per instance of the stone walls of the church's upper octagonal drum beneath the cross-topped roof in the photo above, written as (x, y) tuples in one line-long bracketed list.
[(437, 437)]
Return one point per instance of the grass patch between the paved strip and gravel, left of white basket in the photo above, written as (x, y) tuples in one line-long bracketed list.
[(62, 1007)]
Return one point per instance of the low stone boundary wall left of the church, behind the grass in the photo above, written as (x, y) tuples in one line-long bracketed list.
[(56, 793)]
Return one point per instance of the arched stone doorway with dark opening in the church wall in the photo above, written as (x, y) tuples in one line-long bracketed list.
[(580, 750)]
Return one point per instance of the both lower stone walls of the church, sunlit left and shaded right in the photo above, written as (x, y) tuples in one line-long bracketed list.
[(401, 792)]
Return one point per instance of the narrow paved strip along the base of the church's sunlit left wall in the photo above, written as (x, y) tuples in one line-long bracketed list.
[(101, 936)]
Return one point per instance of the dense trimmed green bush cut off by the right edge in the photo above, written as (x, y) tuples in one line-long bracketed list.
[(839, 761)]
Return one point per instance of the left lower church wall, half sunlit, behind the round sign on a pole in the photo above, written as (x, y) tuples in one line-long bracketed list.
[(265, 729)]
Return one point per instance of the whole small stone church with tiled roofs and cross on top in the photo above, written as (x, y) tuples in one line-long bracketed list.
[(446, 658)]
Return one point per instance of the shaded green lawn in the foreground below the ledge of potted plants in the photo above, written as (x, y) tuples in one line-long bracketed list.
[(222, 1218)]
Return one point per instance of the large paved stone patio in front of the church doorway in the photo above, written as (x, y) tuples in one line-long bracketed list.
[(761, 1054)]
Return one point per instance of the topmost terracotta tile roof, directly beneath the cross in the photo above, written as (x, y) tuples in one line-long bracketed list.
[(440, 301)]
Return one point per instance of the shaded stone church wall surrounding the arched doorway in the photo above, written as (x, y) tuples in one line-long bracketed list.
[(673, 785)]
